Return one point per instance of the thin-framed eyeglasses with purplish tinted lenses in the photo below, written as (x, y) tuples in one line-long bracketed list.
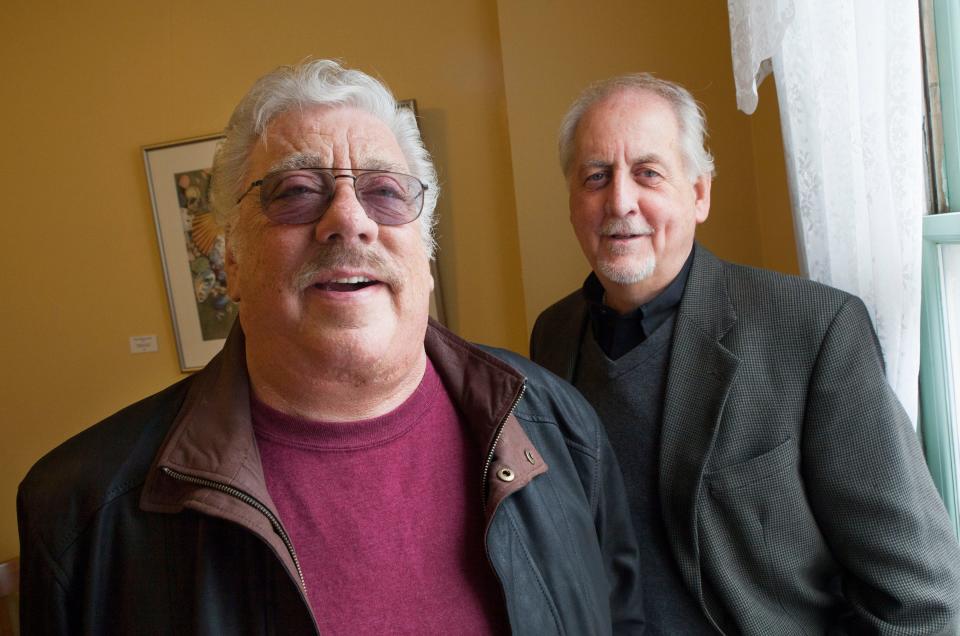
[(303, 196)]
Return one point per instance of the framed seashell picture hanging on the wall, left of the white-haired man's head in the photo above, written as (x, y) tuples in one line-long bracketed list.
[(191, 247)]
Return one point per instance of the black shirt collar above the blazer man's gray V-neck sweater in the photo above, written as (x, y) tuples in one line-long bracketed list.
[(619, 333)]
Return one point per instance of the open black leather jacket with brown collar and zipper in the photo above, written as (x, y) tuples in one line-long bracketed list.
[(157, 520)]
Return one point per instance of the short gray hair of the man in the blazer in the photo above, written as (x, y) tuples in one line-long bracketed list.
[(690, 118)]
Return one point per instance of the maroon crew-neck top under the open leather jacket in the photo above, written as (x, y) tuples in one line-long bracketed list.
[(385, 516)]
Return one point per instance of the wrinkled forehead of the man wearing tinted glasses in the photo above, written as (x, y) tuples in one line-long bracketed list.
[(326, 137)]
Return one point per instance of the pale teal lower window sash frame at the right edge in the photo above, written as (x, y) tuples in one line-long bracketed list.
[(941, 426)]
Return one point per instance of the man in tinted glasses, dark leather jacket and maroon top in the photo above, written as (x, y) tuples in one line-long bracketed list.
[(343, 466)]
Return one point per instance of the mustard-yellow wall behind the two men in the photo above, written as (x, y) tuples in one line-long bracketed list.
[(85, 88)]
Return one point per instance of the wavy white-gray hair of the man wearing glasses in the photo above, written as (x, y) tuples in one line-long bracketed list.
[(323, 83)]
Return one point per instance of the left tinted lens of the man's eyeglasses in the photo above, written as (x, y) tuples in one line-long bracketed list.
[(296, 196)]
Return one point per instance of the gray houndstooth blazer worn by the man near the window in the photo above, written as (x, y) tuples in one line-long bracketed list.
[(793, 488)]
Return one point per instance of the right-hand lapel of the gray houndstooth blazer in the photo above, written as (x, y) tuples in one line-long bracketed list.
[(699, 377)]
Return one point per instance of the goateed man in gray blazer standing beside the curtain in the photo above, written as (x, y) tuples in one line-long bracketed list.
[(776, 483)]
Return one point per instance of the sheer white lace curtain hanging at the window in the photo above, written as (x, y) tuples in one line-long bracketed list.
[(850, 87)]
